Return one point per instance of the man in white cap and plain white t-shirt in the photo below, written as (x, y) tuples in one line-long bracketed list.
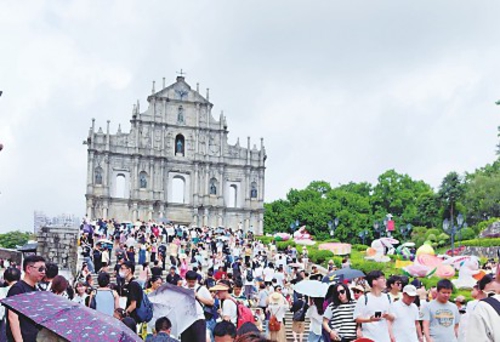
[(406, 327)]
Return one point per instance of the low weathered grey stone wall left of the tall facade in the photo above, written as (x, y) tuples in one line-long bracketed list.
[(59, 245)]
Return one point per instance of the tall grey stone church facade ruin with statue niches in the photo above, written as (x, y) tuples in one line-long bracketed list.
[(175, 164)]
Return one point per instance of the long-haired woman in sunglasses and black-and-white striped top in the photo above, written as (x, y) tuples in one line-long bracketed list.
[(338, 320)]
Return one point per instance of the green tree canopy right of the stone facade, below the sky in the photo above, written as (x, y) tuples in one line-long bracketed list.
[(359, 205)]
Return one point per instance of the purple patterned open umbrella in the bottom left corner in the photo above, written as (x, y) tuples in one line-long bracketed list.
[(69, 320)]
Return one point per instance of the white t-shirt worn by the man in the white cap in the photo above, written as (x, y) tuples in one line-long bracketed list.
[(403, 326)]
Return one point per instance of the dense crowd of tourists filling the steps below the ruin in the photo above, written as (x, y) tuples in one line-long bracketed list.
[(244, 291)]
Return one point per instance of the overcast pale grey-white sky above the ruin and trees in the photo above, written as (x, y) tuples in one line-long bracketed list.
[(340, 90)]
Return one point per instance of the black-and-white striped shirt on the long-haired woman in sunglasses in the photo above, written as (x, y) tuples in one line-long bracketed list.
[(341, 319)]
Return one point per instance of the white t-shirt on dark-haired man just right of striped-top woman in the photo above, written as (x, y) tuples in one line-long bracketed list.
[(377, 331)]
